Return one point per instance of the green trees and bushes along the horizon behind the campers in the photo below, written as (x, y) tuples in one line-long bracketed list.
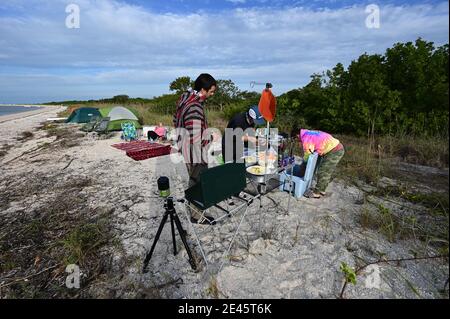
[(403, 92)]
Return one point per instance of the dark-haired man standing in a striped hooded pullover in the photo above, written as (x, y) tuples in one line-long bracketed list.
[(191, 124)]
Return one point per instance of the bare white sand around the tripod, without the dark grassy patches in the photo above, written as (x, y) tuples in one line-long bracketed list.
[(278, 254)]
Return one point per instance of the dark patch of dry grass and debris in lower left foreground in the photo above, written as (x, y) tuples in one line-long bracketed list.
[(48, 233)]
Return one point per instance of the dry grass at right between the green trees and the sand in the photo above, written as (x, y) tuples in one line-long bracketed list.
[(370, 160)]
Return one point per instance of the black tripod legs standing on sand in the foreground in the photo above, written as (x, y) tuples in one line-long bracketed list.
[(170, 210)]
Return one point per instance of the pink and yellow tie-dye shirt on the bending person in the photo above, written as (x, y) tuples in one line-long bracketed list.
[(317, 141)]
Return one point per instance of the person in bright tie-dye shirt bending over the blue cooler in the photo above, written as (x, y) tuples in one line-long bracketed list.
[(330, 152)]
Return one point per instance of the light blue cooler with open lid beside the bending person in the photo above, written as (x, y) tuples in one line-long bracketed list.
[(299, 184)]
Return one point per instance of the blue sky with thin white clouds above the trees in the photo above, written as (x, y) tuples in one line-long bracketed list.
[(138, 47)]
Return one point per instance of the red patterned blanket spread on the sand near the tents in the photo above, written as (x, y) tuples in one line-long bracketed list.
[(142, 150)]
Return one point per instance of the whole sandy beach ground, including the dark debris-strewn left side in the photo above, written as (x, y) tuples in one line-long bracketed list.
[(60, 177)]
